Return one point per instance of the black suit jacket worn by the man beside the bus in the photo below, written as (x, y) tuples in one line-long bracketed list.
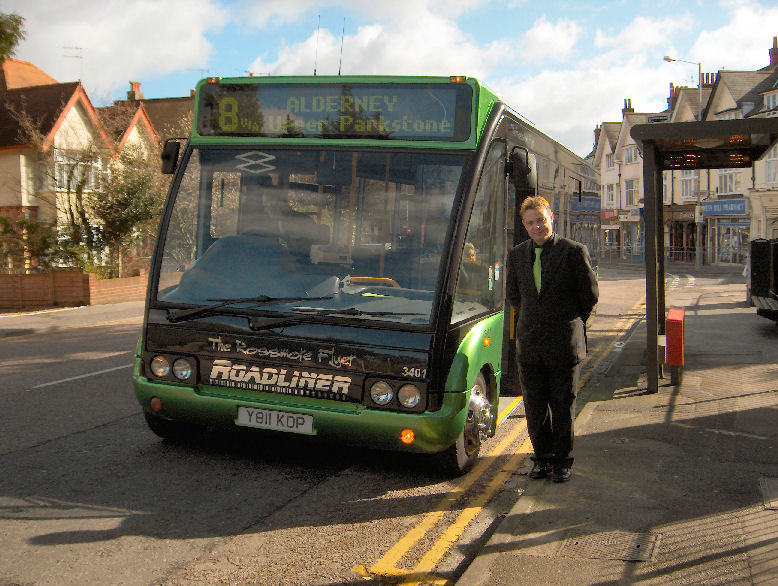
[(551, 323)]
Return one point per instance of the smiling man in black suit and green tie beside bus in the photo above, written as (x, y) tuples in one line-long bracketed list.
[(553, 296)]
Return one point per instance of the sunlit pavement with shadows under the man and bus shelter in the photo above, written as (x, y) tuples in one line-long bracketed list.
[(677, 487)]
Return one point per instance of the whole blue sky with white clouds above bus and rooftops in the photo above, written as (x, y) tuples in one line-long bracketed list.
[(565, 66)]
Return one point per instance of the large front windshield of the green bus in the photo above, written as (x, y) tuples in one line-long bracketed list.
[(354, 235)]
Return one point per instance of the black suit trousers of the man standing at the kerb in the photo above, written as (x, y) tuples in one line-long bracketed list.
[(549, 402)]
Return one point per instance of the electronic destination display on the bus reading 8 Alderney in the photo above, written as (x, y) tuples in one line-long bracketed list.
[(414, 112)]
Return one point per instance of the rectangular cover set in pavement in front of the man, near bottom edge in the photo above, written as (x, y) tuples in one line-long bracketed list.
[(612, 545)]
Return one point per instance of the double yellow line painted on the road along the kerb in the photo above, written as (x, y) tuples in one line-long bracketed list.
[(423, 570)]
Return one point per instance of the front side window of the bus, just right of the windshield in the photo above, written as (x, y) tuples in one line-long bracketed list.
[(481, 274)]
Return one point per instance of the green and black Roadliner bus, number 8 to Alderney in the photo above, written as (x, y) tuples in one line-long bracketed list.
[(331, 258)]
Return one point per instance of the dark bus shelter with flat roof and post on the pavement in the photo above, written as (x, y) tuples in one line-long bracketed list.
[(720, 144)]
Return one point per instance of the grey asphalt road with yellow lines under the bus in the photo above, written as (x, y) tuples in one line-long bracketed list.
[(89, 495)]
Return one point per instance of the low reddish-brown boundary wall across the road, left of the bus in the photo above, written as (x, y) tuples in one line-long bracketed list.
[(67, 289)]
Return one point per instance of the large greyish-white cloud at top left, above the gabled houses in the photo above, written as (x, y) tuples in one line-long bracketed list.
[(119, 40)]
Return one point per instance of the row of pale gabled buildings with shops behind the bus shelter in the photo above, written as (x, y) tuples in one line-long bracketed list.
[(710, 215)]
